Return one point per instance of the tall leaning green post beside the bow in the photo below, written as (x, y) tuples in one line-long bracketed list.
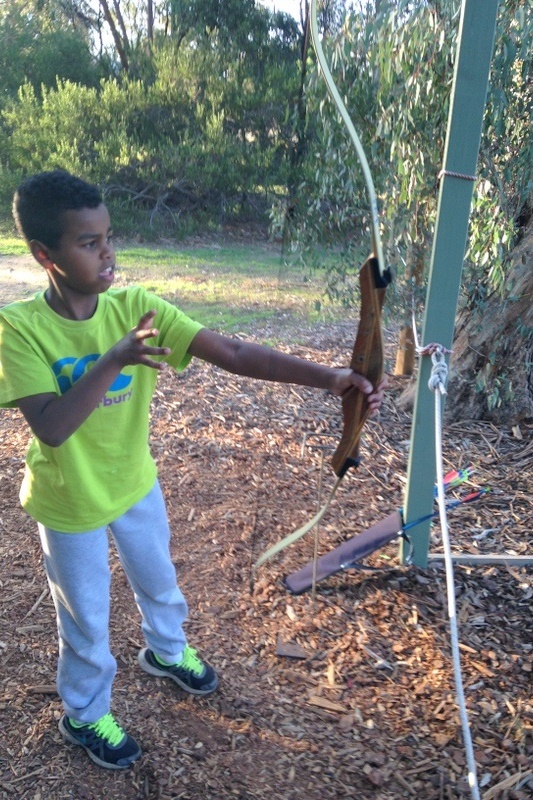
[(474, 54)]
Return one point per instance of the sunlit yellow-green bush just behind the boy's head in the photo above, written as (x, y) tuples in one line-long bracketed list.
[(145, 148)]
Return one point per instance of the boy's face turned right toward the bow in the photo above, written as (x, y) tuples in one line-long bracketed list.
[(84, 261)]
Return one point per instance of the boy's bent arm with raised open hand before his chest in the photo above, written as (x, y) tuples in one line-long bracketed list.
[(53, 418)]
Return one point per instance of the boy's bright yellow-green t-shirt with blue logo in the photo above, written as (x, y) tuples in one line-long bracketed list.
[(106, 466)]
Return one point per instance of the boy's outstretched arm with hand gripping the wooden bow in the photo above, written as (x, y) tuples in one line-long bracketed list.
[(257, 361)]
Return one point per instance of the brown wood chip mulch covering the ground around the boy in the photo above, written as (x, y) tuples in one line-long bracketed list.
[(349, 693)]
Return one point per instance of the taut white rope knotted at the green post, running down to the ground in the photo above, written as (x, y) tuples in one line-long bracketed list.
[(438, 386)]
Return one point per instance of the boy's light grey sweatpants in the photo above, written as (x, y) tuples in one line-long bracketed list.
[(77, 567)]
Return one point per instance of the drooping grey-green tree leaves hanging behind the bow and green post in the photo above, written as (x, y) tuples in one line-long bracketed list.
[(394, 68)]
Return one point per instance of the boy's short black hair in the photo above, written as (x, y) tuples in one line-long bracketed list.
[(41, 200)]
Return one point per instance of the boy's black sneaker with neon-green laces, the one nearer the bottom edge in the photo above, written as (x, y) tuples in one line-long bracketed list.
[(104, 741)]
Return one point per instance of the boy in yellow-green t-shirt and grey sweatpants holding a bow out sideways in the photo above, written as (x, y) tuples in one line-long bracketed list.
[(80, 361)]
